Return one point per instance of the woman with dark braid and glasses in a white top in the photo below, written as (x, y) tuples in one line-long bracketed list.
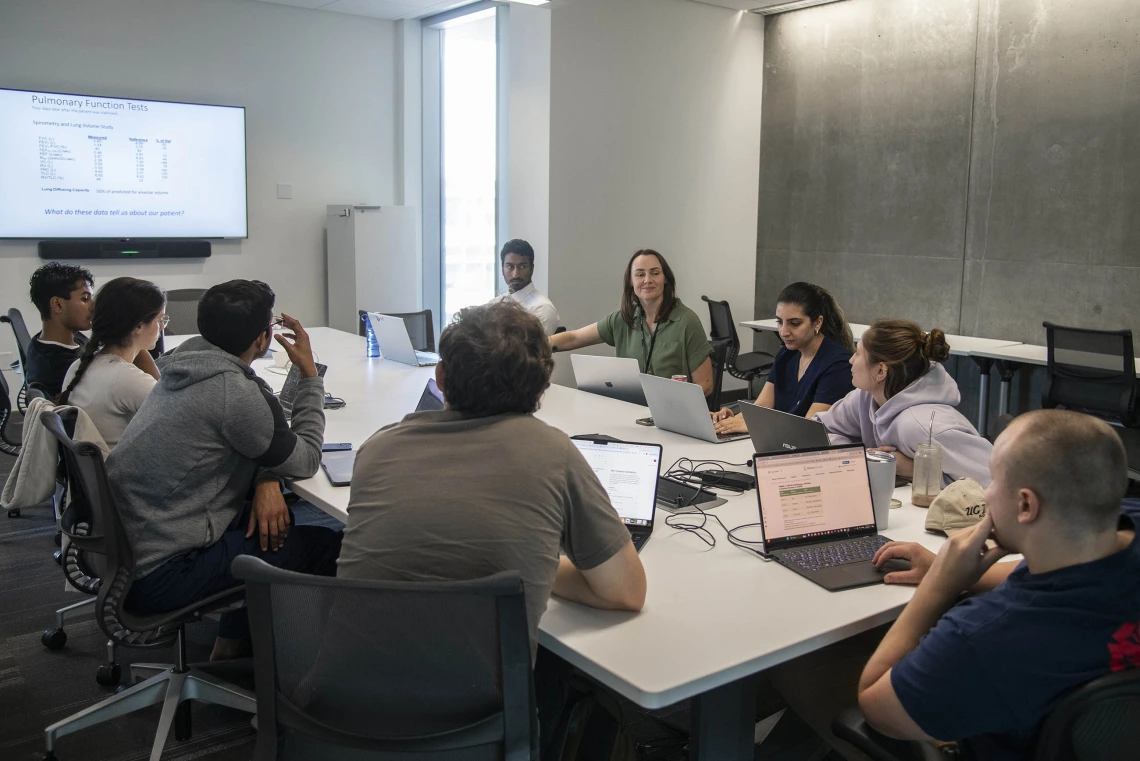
[(115, 374)]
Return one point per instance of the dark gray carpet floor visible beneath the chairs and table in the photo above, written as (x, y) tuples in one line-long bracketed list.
[(39, 688)]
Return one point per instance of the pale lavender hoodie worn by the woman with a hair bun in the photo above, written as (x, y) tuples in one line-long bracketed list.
[(905, 422)]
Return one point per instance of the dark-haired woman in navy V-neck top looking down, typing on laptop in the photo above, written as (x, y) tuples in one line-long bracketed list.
[(811, 372)]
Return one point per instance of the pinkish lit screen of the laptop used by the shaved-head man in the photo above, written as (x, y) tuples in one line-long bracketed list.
[(816, 495)]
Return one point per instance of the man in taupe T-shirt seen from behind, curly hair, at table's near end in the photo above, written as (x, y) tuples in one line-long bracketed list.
[(485, 487)]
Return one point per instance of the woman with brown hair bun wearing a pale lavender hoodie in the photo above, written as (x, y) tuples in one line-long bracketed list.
[(900, 383)]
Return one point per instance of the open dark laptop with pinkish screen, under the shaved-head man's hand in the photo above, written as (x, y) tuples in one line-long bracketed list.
[(818, 518)]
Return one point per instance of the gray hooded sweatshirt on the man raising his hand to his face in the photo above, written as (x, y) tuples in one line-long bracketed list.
[(189, 460)]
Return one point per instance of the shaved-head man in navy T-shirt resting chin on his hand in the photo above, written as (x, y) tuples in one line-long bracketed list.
[(987, 672)]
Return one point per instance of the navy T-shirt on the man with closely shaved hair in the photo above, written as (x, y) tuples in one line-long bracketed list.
[(995, 666)]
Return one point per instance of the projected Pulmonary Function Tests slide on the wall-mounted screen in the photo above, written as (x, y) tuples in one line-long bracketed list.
[(82, 167)]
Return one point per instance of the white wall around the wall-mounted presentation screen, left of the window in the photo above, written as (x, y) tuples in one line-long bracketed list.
[(320, 92)]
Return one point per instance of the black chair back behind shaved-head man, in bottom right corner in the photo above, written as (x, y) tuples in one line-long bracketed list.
[(1097, 723)]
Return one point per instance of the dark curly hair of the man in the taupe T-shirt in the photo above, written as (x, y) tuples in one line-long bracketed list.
[(496, 359)]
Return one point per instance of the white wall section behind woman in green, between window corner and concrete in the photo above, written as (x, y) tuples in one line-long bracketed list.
[(655, 143)]
